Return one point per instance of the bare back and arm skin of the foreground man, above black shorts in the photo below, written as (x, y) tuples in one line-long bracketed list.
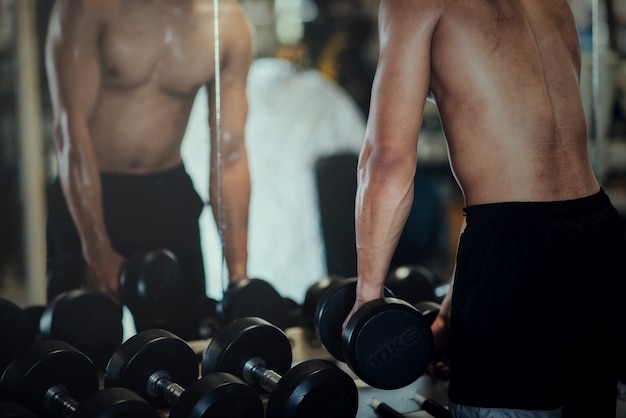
[(505, 77)]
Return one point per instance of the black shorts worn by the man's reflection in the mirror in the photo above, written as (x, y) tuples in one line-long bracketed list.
[(143, 212)]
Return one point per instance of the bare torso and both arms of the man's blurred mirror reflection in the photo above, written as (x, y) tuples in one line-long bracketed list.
[(123, 76)]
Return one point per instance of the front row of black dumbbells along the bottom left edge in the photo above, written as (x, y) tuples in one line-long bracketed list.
[(155, 369)]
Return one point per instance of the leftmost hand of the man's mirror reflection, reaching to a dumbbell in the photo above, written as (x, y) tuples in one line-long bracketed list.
[(103, 275)]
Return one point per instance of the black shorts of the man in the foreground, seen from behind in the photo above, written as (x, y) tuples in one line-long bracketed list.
[(538, 310)]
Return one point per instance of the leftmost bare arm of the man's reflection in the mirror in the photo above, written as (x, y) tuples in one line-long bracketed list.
[(73, 69)]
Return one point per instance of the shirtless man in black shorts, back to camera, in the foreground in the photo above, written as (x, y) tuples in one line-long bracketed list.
[(538, 272)]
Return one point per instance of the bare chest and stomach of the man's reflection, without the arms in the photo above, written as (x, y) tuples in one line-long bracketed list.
[(154, 56)]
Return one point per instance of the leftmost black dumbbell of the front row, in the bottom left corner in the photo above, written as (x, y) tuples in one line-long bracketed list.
[(54, 379)]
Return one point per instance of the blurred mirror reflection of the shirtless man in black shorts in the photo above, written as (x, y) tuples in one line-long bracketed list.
[(123, 76)]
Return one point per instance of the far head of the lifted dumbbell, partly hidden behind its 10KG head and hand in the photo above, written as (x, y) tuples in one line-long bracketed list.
[(332, 309)]
